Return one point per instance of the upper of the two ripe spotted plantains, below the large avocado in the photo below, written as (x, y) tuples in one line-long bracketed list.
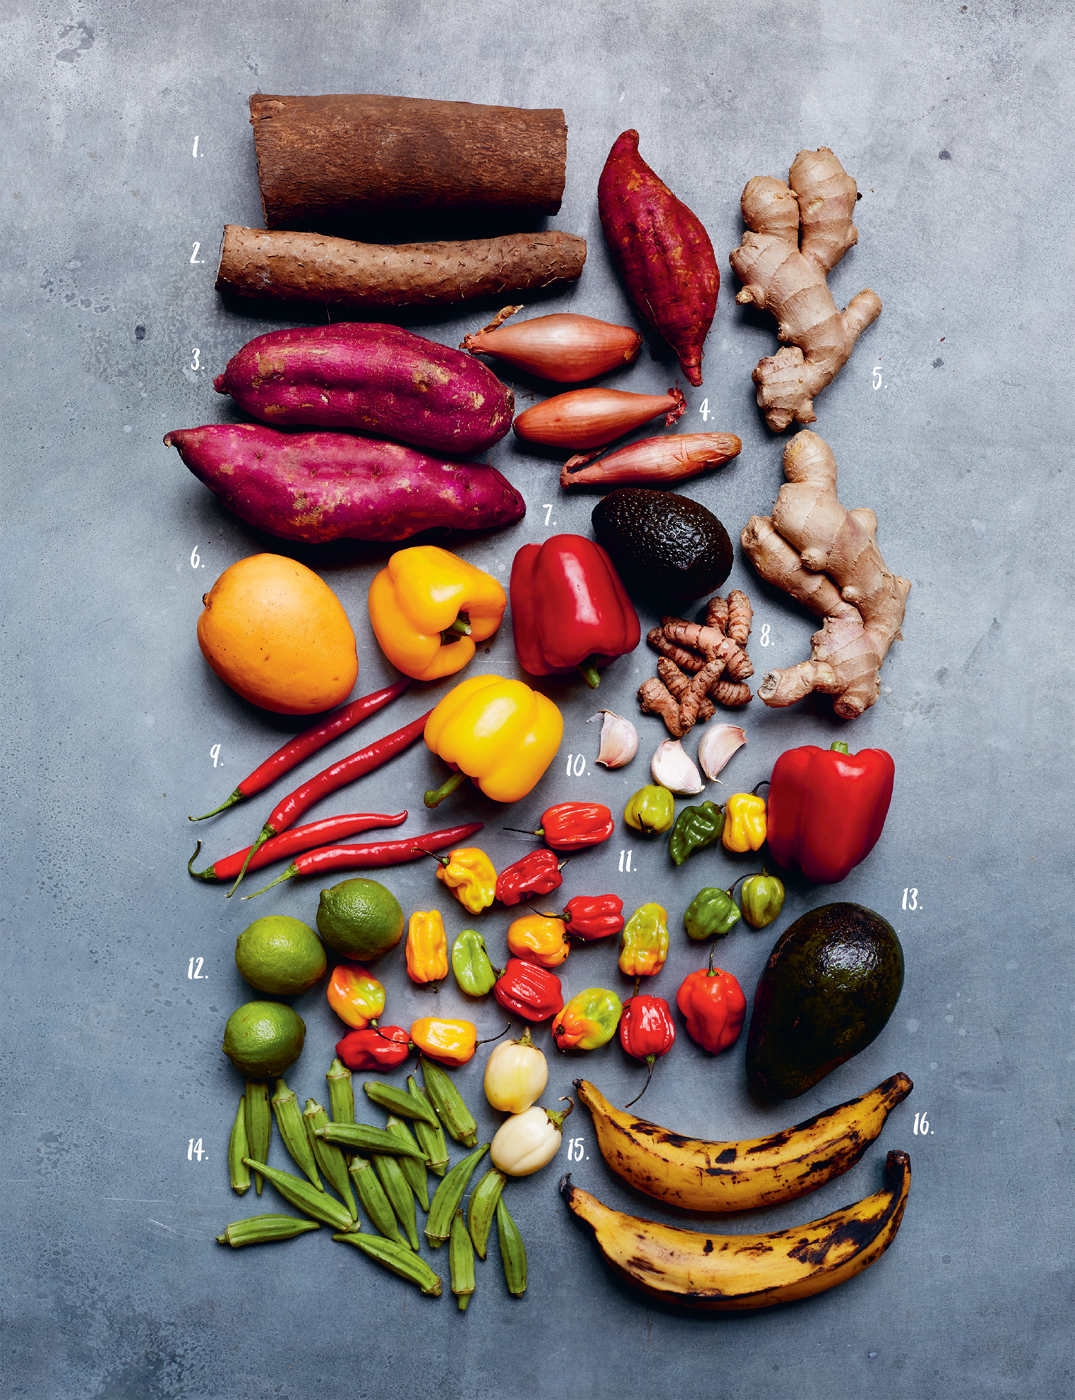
[(740, 1177)]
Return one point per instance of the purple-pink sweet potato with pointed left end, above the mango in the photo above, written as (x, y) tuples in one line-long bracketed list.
[(321, 486)]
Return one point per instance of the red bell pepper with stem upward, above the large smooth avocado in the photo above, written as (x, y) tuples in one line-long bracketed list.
[(827, 808)]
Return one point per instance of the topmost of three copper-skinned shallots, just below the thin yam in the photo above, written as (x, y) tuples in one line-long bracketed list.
[(565, 348)]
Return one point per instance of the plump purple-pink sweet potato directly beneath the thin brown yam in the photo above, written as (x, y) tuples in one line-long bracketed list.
[(372, 379)]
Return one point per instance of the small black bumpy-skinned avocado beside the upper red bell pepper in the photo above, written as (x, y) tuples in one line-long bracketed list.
[(667, 548)]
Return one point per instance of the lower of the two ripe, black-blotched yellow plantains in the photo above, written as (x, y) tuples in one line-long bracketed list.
[(740, 1272)]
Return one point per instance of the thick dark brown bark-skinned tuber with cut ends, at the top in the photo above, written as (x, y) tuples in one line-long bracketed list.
[(321, 159)]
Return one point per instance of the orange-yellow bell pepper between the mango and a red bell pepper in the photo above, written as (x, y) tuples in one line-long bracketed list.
[(425, 594)]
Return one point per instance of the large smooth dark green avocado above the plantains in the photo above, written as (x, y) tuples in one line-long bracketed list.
[(828, 990)]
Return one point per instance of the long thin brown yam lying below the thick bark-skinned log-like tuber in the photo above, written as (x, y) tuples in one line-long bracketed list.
[(337, 272)]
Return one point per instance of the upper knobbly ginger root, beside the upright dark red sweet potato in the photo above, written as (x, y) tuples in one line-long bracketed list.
[(789, 278)]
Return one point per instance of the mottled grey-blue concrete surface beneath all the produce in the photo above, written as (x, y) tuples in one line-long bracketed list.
[(957, 121)]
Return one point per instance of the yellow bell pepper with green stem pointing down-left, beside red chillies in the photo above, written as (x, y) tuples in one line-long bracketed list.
[(499, 733)]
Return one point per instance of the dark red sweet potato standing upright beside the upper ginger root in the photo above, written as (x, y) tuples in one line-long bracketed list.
[(663, 251)]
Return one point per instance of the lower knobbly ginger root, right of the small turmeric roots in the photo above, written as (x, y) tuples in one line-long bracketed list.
[(828, 559)]
